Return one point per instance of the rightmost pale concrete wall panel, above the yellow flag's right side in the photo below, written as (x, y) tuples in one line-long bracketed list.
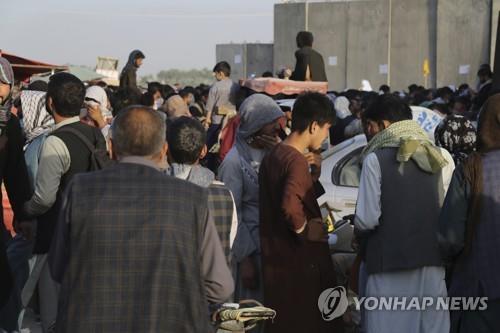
[(463, 39)]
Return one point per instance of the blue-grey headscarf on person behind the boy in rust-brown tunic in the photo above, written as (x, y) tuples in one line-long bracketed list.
[(256, 111)]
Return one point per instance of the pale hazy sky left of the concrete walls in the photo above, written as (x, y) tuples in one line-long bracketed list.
[(172, 34)]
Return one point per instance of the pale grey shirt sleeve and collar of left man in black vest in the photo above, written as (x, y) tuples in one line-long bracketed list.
[(54, 162)]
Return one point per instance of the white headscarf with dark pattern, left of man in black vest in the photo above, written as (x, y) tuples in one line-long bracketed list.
[(36, 119)]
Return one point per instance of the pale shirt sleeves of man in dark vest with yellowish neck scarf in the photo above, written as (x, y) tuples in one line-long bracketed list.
[(368, 206)]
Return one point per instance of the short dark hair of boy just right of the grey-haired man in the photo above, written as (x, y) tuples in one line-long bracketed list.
[(186, 138)]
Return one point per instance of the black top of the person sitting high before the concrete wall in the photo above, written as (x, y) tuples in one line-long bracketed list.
[(307, 56)]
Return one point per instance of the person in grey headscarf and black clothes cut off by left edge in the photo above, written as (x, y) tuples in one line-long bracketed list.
[(15, 177)]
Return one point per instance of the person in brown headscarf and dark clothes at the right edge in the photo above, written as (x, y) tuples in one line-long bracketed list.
[(470, 227)]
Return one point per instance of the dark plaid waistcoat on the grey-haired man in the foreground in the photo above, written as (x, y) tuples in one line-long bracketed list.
[(134, 253)]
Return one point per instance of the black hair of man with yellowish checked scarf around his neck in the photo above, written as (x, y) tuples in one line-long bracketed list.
[(388, 107)]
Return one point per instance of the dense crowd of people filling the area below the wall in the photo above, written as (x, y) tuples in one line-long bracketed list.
[(137, 210)]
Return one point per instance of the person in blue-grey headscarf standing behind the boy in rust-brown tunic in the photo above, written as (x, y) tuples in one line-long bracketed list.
[(257, 134)]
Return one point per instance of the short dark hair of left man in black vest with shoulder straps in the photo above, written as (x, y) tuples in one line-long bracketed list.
[(67, 93)]
